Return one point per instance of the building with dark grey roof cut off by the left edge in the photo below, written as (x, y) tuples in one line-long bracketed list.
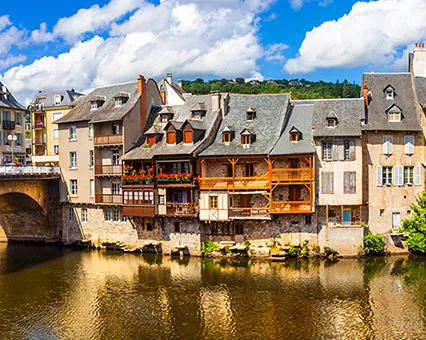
[(12, 123)]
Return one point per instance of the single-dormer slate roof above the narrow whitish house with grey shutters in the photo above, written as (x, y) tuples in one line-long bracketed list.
[(348, 112)]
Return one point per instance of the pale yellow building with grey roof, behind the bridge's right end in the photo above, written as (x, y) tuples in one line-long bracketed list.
[(46, 108)]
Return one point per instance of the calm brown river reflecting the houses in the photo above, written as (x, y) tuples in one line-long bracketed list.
[(52, 293)]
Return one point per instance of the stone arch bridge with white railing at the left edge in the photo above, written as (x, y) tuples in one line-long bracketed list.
[(29, 204)]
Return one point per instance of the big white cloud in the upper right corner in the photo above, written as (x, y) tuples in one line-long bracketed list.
[(369, 34)]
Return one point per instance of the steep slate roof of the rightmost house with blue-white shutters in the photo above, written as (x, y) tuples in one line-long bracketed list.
[(377, 118)]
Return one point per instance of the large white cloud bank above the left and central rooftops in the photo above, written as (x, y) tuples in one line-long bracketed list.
[(187, 37)]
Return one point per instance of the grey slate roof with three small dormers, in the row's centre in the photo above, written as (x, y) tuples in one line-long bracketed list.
[(268, 124)]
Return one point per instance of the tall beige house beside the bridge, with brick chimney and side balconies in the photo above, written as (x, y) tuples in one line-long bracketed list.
[(93, 136)]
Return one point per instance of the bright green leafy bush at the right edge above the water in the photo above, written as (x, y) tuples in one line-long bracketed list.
[(416, 225)]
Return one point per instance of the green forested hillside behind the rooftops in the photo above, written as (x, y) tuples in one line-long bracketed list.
[(299, 88)]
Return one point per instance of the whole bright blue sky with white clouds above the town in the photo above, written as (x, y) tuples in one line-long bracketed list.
[(50, 45)]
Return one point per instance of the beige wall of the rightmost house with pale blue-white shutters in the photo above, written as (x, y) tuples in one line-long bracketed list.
[(391, 199)]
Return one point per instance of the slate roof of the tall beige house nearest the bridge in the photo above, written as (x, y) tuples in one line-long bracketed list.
[(107, 112)]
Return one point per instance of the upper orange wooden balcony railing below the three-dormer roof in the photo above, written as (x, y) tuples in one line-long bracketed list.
[(234, 183)]
